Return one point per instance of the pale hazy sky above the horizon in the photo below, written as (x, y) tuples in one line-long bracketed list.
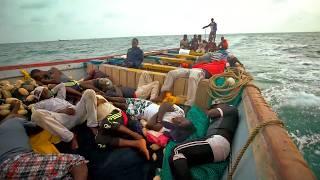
[(49, 20)]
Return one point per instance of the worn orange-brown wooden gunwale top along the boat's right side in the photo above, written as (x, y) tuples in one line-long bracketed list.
[(275, 154)]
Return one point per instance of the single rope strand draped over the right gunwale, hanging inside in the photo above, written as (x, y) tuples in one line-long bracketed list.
[(250, 139)]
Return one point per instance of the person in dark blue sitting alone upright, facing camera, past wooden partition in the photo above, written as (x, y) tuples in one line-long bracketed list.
[(134, 55)]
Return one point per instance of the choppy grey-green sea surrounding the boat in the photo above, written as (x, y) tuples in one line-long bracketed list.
[(285, 66)]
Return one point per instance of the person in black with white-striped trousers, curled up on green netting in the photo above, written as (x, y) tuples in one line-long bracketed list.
[(215, 147)]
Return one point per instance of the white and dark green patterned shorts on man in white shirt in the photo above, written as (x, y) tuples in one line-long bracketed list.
[(136, 107)]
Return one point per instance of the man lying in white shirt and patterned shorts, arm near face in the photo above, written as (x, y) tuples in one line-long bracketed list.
[(166, 118)]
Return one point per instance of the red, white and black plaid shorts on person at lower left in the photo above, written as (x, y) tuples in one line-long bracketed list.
[(37, 166)]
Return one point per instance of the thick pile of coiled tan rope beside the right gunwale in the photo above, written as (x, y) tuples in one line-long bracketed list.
[(225, 93)]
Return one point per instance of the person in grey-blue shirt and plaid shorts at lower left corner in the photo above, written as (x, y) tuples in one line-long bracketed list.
[(18, 161)]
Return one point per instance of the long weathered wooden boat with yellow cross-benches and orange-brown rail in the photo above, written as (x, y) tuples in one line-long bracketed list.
[(271, 154)]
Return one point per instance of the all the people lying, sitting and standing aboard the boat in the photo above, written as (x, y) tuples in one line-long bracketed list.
[(61, 104)]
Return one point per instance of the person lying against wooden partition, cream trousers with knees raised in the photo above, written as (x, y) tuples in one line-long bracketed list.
[(147, 89)]
